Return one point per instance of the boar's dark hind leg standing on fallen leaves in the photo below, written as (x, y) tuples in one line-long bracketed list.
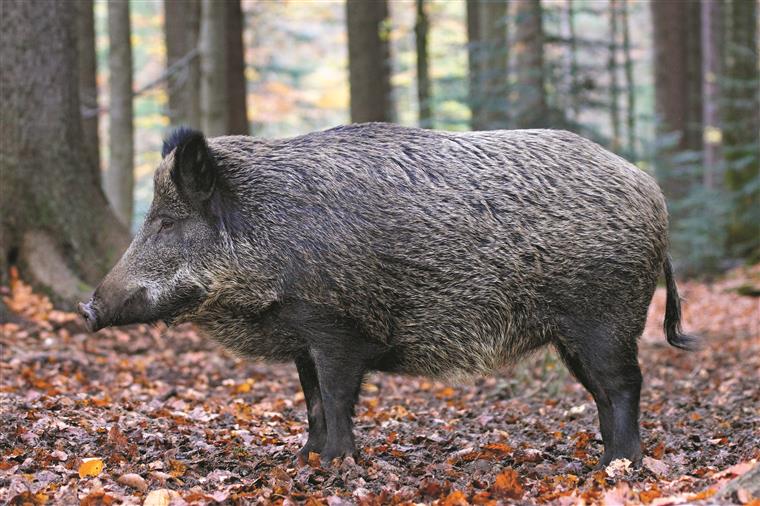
[(607, 366)]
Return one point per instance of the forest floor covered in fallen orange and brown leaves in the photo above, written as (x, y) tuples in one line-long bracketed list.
[(146, 415)]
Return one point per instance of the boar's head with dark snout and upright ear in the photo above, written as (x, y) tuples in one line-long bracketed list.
[(161, 275)]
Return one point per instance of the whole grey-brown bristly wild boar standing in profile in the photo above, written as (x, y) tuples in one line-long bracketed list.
[(374, 246)]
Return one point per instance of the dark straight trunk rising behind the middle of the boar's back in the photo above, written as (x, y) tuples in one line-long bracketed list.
[(369, 60)]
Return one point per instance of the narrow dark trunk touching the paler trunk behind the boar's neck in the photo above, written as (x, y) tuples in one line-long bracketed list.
[(237, 112)]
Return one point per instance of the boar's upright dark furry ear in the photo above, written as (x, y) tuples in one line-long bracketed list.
[(194, 171)]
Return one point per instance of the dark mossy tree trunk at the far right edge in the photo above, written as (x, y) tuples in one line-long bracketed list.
[(742, 122)]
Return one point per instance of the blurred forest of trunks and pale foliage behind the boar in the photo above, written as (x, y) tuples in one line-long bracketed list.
[(90, 88)]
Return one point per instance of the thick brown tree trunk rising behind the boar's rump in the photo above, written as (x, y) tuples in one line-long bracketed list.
[(675, 61)]
